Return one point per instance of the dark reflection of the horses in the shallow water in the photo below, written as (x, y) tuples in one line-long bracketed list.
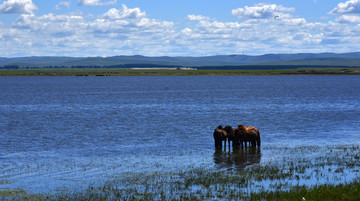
[(238, 159)]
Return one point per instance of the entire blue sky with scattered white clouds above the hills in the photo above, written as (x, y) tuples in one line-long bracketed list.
[(82, 28)]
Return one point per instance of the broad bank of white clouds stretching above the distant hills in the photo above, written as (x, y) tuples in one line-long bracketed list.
[(130, 31)]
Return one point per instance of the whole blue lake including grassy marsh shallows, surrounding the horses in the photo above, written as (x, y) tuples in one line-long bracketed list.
[(150, 137)]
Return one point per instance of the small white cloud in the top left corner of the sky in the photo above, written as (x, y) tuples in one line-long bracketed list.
[(18, 6)]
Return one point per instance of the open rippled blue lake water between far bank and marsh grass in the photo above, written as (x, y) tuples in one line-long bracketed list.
[(66, 133)]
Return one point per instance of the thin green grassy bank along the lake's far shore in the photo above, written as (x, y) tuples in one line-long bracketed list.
[(130, 72)]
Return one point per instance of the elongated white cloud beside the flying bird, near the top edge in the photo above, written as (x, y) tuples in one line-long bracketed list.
[(260, 11)]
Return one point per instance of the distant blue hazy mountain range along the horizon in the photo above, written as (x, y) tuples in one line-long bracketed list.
[(205, 62)]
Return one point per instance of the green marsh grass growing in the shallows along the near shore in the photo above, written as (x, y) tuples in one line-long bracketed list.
[(302, 173)]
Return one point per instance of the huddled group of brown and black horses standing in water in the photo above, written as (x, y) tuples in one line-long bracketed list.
[(239, 136)]
